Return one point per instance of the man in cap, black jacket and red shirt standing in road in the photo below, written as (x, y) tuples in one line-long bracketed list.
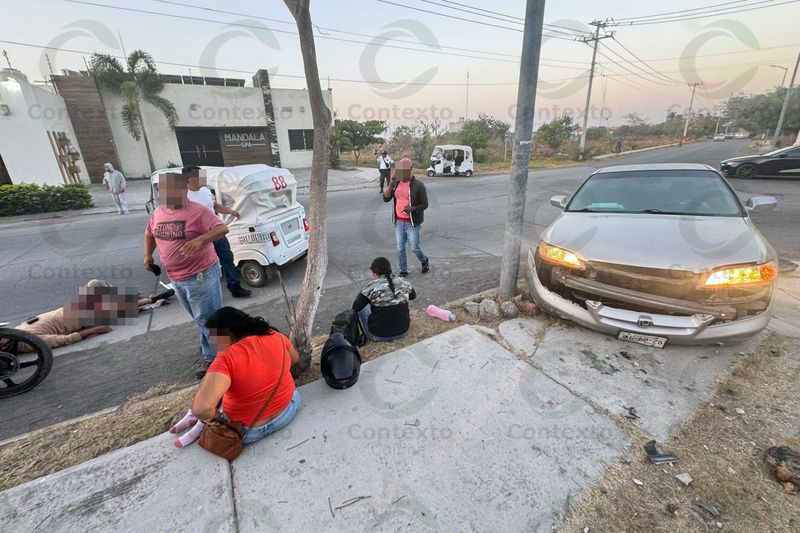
[(410, 202)]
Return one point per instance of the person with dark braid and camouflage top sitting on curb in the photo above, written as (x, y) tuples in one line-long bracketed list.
[(382, 305)]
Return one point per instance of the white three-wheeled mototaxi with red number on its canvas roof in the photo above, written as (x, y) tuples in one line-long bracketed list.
[(272, 229)]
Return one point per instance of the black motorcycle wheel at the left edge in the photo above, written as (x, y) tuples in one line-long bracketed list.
[(22, 371)]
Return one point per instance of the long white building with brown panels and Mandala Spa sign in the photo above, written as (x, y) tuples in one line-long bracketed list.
[(220, 122)]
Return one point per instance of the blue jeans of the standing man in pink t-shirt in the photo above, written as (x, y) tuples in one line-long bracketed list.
[(201, 295)]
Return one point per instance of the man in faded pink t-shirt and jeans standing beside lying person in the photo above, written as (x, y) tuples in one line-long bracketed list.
[(183, 233)]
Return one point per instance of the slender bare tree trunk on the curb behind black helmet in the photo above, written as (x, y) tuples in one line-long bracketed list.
[(317, 261)]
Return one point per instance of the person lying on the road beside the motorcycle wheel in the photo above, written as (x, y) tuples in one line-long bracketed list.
[(97, 306)]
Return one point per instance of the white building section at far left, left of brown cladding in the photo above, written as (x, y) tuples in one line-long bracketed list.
[(37, 140)]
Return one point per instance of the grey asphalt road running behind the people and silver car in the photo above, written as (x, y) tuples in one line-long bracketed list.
[(42, 262)]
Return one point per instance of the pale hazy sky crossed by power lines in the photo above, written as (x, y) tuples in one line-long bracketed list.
[(404, 60)]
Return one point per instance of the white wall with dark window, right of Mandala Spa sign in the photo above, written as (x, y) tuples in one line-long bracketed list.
[(293, 111)]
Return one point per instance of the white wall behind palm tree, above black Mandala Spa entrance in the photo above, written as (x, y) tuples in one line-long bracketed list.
[(197, 106)]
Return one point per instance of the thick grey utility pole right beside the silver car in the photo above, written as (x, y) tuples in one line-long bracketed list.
[(521, 153)]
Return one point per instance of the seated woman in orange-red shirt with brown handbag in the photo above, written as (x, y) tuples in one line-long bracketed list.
[(253, 364)]
